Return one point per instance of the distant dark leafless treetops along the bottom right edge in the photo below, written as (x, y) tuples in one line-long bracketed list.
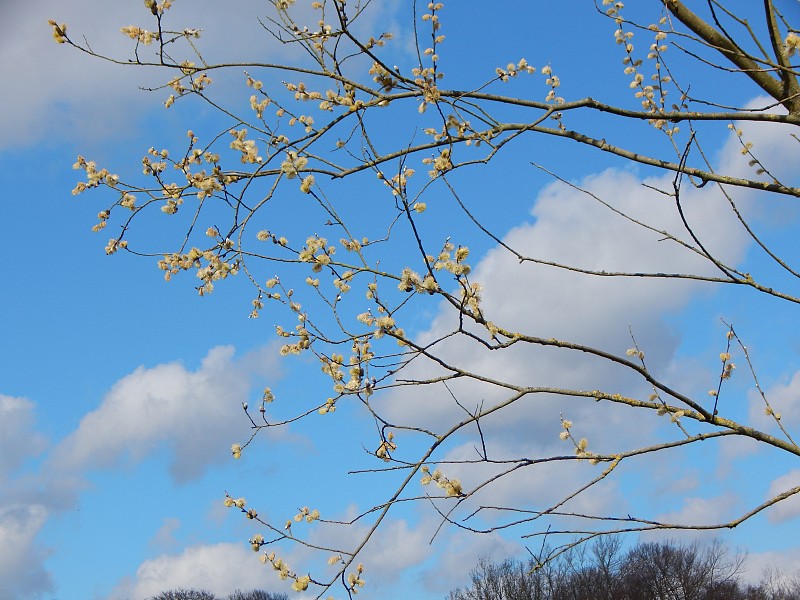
[(647, 571)]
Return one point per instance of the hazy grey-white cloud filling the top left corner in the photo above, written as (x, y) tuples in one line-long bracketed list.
[(58, 91)]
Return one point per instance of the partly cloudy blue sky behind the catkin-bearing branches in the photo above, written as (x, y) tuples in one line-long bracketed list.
[(120, 394)]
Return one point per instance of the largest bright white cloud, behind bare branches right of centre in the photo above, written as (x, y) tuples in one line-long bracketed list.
[(573, 229)]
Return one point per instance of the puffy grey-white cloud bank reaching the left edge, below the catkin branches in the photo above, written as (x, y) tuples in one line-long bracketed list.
[(191, 415)]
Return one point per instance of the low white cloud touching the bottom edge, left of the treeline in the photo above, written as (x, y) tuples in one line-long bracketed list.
[(217, 568)]
